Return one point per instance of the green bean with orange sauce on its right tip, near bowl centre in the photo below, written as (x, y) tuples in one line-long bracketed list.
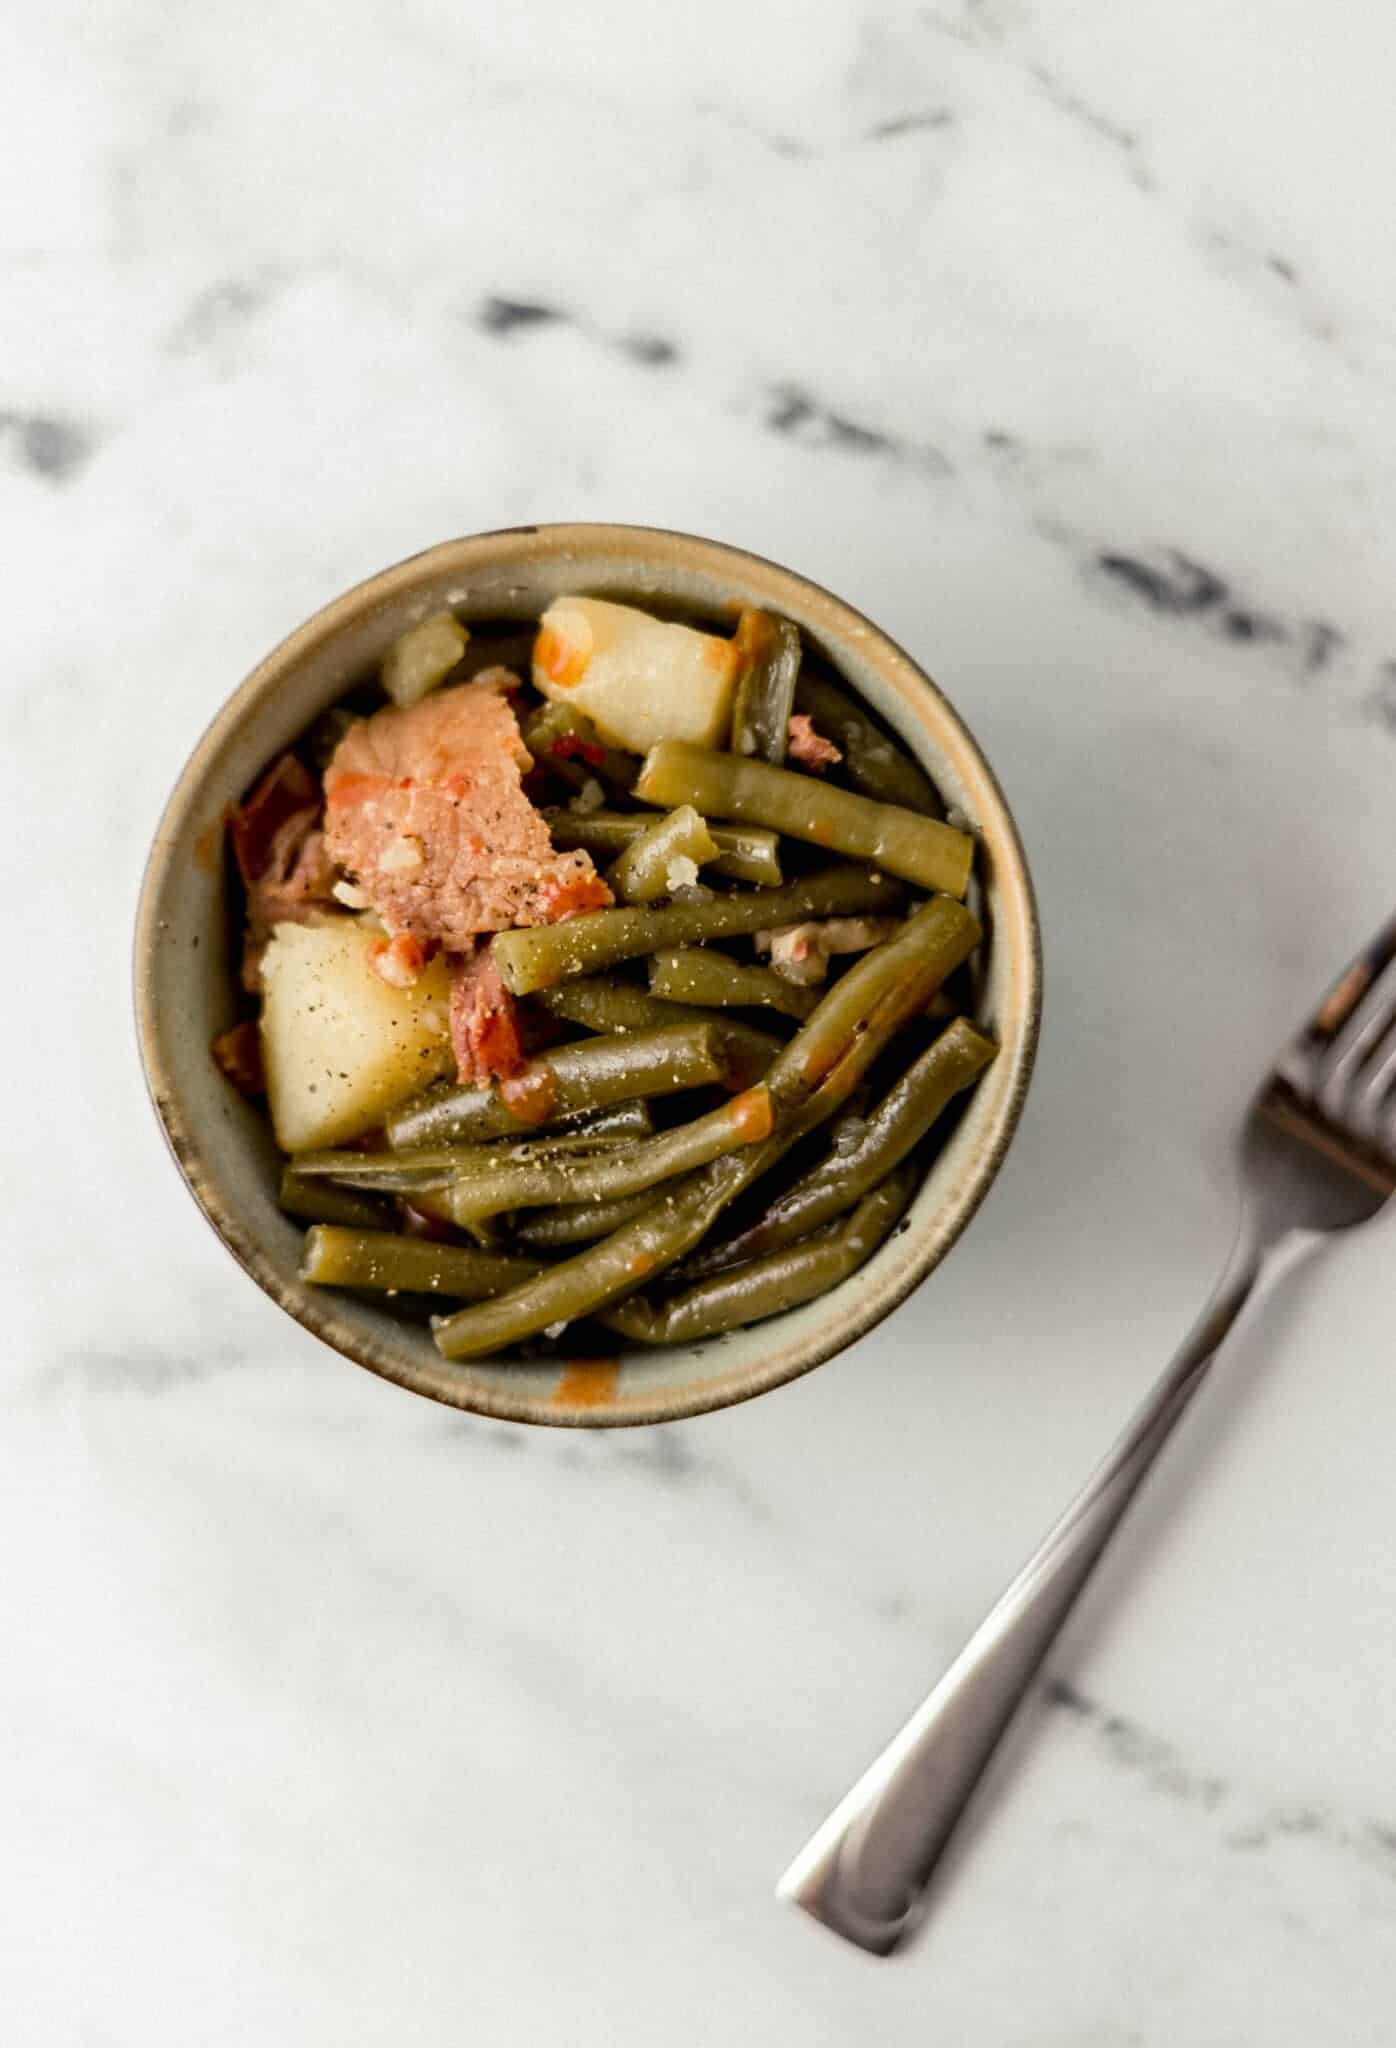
[(496, 1185)]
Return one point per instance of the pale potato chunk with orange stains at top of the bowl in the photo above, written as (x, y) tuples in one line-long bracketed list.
[(636, 677)]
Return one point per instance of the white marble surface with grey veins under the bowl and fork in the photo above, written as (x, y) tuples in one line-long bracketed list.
[(1057, 337)]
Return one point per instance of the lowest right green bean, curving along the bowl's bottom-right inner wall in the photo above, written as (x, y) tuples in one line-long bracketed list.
[(771, 1285)]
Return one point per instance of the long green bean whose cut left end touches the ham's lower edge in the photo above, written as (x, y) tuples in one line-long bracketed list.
[(546, 953)]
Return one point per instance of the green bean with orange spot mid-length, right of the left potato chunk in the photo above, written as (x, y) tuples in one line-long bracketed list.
[(582, 1076)]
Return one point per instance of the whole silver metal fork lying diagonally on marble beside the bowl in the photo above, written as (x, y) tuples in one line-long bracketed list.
[(1317, 1154)]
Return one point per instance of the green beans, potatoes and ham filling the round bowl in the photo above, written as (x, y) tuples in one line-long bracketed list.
[(609, 976)]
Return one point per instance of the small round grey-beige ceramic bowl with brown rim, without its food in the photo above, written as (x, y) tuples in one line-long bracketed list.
[(185, 966)]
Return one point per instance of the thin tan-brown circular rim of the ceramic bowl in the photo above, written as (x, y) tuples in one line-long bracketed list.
[(183, 1142)]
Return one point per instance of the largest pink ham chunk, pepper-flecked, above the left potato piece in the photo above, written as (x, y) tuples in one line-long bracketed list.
[(427, 810)]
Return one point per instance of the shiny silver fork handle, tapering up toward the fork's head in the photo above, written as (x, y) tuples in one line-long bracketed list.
[(865, 1873)]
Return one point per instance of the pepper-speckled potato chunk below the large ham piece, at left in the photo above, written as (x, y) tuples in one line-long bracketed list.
[(341, 1048)]
